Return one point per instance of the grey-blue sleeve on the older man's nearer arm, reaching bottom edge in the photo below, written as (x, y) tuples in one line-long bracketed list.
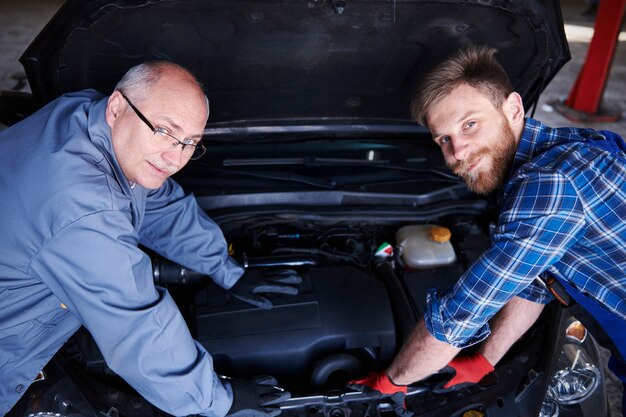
[(95, 268)]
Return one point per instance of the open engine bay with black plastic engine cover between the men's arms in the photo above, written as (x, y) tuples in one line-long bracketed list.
[(357, 302)]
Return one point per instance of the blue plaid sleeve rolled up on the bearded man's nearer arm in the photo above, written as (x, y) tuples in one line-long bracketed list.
[(541, 219)]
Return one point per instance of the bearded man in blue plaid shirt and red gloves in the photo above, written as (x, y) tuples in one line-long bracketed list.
[(562, 221)]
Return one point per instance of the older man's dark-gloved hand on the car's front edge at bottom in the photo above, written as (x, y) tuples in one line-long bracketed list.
[(258, 397)]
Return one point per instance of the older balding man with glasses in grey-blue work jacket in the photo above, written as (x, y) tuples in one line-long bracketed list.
[(84, 181)]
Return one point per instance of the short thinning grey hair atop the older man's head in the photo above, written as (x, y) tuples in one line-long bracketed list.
[(140, 79)]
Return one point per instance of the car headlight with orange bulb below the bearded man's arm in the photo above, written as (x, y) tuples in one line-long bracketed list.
[(577, 375)]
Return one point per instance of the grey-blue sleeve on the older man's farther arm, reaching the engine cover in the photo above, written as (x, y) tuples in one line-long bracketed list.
[(175, 227)]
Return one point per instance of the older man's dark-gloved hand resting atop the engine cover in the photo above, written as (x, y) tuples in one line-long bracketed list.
[(254, 282)]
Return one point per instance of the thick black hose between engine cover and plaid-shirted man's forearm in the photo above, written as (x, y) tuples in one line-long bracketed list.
[(404, 314)]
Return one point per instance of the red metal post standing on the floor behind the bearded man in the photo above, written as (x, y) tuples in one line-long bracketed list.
[(586, 94)]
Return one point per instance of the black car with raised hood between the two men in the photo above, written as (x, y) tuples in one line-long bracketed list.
[(314, 165)]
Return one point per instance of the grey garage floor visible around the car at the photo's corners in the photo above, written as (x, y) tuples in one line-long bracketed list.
[(21, 20)]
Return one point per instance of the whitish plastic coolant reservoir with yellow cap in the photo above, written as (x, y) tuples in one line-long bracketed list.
[(425, 246)]
